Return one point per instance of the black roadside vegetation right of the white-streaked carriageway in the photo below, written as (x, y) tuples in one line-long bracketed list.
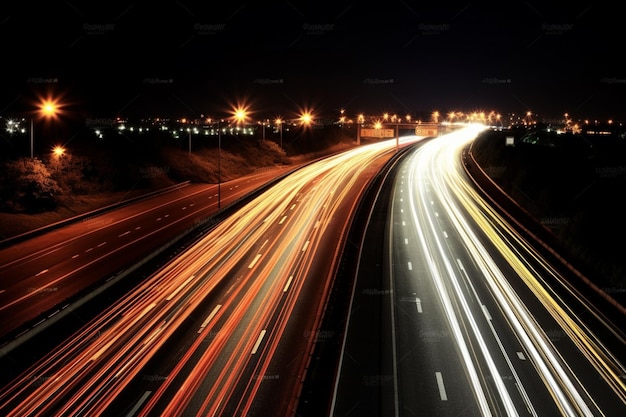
[(573, 184)]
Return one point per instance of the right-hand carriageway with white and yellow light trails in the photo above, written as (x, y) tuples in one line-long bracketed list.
[(454, 313)]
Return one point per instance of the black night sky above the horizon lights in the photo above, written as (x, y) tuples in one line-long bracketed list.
[(185, 59)]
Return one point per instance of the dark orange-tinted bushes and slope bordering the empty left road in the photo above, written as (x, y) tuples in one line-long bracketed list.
[(94, 173)]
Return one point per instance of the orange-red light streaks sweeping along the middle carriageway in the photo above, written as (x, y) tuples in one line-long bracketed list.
[(86, 375)]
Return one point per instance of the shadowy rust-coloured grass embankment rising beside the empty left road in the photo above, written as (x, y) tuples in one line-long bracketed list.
[(97, 176)]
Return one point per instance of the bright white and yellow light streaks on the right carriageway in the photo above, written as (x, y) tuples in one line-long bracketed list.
[(569, 394)]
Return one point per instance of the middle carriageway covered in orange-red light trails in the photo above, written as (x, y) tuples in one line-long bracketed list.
[(226, 327)]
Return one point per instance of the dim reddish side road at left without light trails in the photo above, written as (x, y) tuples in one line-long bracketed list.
[(41, 276)]
